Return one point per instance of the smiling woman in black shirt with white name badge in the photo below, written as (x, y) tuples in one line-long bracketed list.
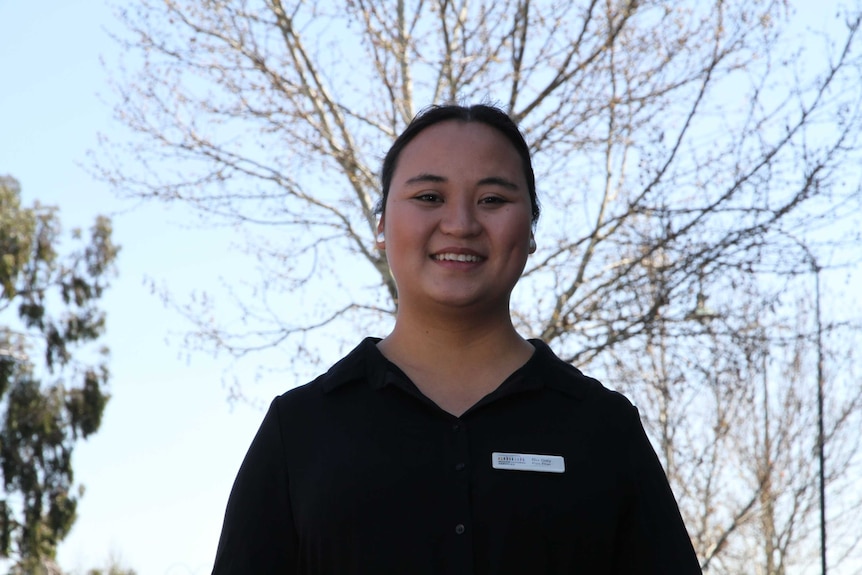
[(454, 445)]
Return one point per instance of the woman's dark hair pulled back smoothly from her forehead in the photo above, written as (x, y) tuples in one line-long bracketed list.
[(488, 115)]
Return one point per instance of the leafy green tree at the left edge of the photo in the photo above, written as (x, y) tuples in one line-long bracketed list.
[(53, 378)]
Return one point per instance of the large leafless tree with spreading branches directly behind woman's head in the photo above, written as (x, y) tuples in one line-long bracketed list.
[(679, 146)]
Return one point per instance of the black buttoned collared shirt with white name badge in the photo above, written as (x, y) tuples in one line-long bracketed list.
[(359, 473)]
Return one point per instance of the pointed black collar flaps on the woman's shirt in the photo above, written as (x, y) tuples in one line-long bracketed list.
[(543, 369)]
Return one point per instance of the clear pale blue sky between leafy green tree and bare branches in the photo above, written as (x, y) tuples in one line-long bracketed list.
[(158, 473)]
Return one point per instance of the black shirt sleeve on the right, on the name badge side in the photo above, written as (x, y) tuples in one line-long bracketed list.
[(652, 539)]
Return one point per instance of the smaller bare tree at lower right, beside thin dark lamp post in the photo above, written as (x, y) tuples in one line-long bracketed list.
[(733, 413)]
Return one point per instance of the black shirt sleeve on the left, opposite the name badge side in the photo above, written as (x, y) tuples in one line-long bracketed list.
[(258, 535)]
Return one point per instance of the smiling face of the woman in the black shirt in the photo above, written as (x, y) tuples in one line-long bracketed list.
[(457, 221)]
